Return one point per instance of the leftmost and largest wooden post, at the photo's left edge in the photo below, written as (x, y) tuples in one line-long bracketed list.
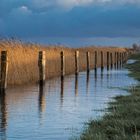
[(4, 71)]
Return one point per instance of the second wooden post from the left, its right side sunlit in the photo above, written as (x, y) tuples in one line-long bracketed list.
[(42, 67)]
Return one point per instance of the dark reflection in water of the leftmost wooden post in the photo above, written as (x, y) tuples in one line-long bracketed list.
[(3, 116)]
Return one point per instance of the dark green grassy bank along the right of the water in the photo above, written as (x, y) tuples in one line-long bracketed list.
[(123, 121)]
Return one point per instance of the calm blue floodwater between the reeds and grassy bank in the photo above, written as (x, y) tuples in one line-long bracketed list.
[(59, 110)]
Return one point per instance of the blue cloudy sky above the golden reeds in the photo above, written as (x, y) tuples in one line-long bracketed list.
[(81, 19)]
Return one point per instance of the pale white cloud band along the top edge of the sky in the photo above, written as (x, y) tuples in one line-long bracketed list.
[(76, 3)]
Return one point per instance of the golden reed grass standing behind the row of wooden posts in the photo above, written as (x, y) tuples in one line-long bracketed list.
[(23, 60)]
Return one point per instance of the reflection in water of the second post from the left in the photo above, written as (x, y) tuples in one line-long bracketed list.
[(41, 100)]
